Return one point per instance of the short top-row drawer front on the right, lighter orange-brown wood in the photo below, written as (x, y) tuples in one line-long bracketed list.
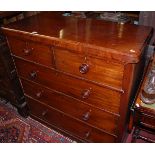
[(100, 71)]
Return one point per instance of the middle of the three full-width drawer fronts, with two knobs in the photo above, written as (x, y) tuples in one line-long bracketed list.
[(75, 108)]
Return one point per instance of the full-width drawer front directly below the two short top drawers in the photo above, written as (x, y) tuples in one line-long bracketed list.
[(87, 92)]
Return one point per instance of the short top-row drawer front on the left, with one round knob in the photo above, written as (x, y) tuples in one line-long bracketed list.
[(32, 51)]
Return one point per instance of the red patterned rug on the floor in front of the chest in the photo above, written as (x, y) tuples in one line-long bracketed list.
[(15, 129)]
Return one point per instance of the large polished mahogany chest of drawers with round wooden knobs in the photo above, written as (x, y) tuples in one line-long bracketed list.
[(79, 75)]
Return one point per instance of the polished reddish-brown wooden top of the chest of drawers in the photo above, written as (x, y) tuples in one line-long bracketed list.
[(94, 37)]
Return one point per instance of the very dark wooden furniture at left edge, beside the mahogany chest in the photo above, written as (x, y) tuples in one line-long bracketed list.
[(10, 88)]
